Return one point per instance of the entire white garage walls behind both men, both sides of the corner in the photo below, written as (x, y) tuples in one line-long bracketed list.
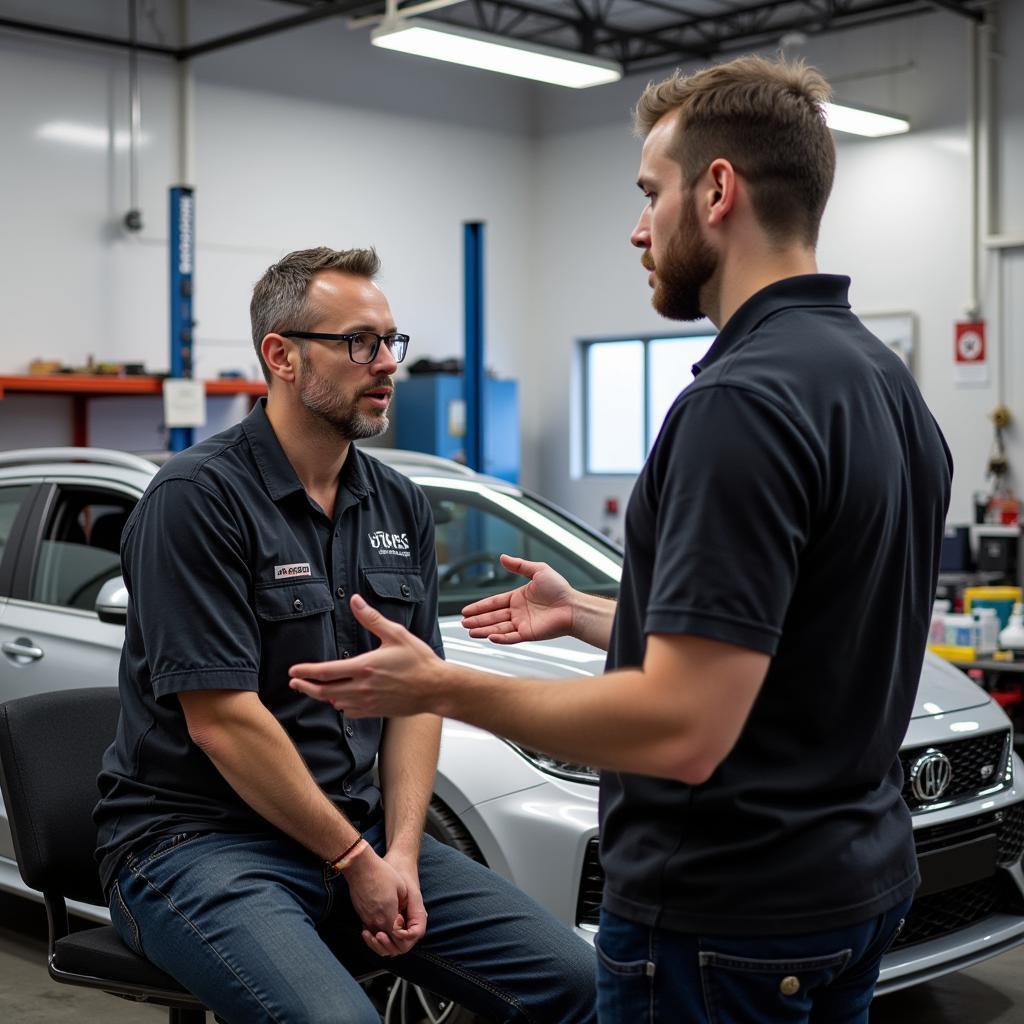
[(313, 137)]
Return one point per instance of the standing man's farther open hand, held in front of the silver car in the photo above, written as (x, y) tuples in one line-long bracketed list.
[(541, 610)]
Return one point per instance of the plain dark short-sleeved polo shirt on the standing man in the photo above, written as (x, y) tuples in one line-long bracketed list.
[(793, 504)]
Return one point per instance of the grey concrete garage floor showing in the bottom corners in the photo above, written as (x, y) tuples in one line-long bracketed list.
[(990, 994)]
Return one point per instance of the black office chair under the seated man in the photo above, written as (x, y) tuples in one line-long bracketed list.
[(52, 746)]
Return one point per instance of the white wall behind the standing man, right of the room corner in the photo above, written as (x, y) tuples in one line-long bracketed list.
[(898, 223)]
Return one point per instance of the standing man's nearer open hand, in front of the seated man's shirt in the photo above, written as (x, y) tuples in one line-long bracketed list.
[(400, 678)]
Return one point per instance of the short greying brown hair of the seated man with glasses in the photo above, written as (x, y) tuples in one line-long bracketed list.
[(280, 300)]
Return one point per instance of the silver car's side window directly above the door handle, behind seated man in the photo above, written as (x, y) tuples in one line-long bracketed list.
[(80, 548)]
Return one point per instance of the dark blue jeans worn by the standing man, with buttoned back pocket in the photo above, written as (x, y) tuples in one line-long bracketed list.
[(654, 976)]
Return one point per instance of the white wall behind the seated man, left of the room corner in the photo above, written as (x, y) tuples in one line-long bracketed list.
[(306, 139)]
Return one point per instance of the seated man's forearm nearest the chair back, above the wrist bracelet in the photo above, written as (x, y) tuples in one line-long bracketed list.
[(242, 739)]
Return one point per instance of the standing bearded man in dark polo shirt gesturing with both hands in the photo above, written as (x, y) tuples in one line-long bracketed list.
[(782, 552)]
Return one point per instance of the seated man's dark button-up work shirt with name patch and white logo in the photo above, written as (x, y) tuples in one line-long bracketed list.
[(235, 574)]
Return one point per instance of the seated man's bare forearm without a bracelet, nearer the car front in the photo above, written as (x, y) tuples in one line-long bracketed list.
[(408, 764)]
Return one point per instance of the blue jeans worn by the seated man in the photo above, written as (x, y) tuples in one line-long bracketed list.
[(254, 928)]
